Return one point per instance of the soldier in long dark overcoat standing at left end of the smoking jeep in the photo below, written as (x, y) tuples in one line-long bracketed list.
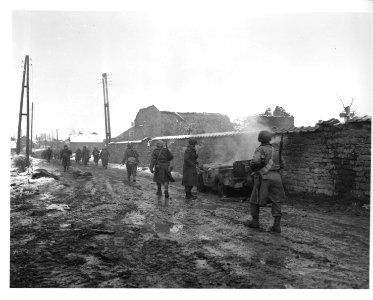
[(190, 176)]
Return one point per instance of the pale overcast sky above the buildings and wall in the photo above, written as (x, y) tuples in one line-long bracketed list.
[(236, 64)]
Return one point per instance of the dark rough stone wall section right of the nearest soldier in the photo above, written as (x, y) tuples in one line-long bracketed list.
[(333, 160)]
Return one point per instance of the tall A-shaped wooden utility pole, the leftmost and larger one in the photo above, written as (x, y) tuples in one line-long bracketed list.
[(25, 77)]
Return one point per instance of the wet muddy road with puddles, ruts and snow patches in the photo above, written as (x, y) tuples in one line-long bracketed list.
[(103, 231)]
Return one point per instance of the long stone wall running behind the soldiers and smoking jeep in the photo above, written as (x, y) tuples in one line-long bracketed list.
[(331, 160)]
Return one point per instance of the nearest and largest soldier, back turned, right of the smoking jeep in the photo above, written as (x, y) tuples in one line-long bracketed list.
[(267, 181)]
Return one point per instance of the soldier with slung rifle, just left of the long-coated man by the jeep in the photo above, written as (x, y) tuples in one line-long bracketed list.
[(159, 165)]
